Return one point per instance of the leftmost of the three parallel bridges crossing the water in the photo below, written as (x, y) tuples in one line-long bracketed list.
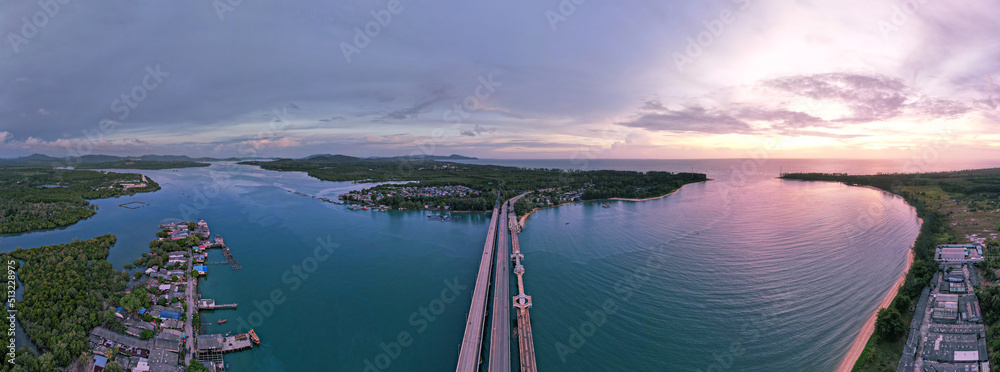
[(468, 356)]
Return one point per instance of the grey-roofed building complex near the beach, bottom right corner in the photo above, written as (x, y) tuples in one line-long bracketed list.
[(947, 331)]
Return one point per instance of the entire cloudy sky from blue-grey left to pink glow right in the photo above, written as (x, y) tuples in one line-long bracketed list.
[(514, 79)]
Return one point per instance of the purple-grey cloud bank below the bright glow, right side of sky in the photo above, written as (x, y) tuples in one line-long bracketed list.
[(770, 107)]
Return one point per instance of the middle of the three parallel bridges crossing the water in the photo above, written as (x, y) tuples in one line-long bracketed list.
[(500, 334)]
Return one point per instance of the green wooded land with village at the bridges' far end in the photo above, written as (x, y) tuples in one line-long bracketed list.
[(422, 183)]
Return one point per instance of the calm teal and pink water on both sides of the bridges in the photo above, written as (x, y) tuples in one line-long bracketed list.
[(745, 272)]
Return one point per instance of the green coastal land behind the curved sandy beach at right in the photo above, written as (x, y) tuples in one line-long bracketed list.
[(957, 208)]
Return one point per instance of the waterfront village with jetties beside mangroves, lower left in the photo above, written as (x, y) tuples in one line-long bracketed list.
[(162, 335)]
